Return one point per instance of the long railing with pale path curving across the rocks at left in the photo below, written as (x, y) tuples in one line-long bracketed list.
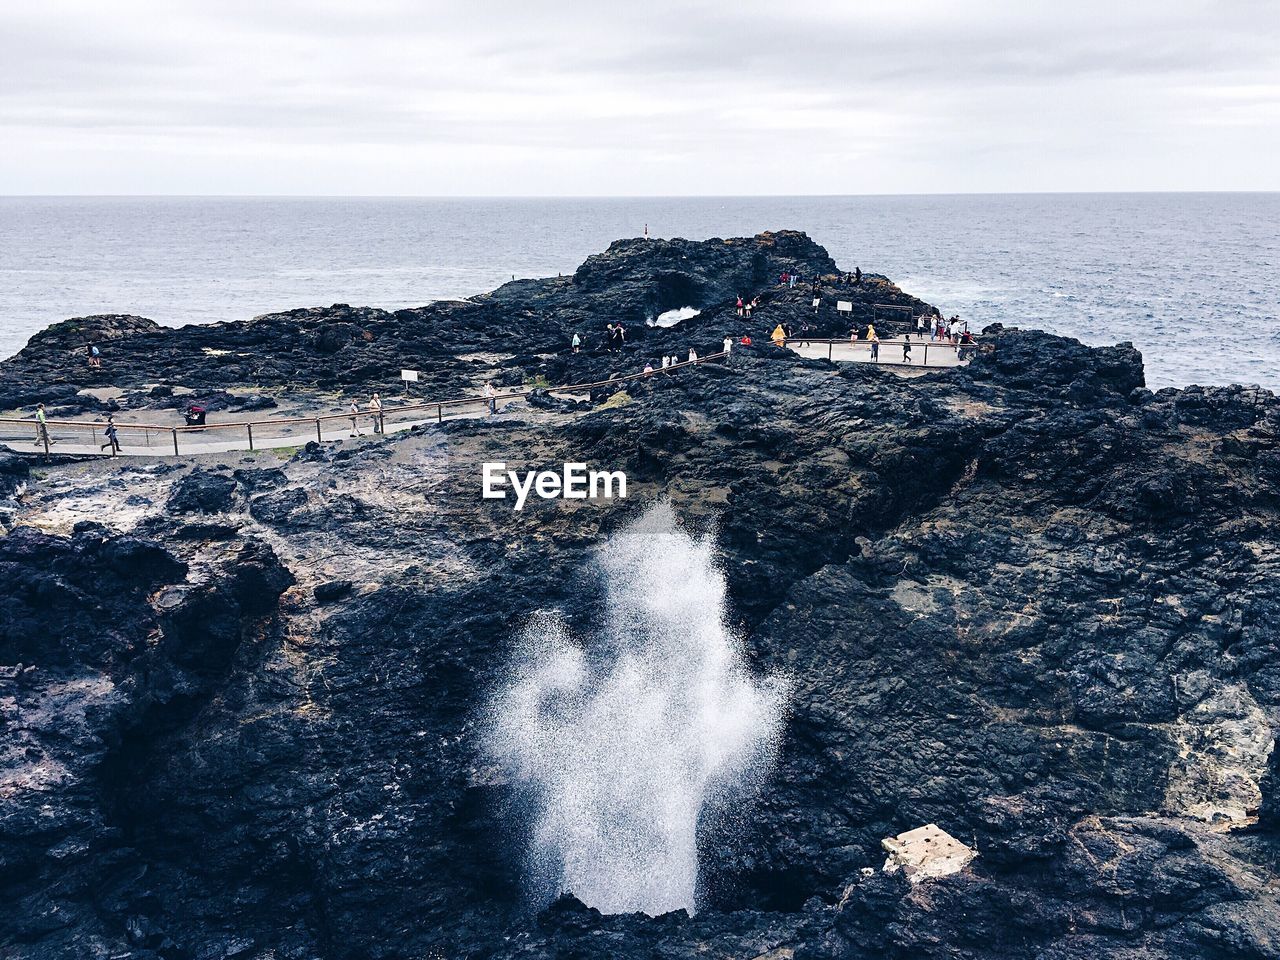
[(164, 440)]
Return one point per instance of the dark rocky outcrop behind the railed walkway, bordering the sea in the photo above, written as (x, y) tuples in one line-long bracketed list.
[(515, 333)]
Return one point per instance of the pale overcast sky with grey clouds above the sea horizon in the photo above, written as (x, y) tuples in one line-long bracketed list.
[(605, 98)]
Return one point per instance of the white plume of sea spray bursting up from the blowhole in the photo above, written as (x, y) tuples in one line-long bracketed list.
[(624, 747)]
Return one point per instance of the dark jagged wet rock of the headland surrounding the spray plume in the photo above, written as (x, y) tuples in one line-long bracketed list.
[(1026, 601)]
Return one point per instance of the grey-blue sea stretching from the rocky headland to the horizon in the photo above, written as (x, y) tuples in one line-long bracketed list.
[(1190, 278)]
